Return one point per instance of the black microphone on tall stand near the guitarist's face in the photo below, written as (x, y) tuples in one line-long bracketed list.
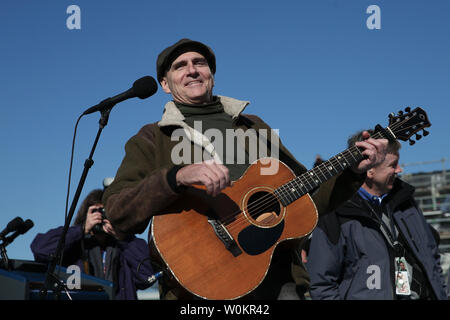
[(142, 88)]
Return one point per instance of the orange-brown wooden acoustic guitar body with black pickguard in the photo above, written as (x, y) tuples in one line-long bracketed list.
[(229, 256)]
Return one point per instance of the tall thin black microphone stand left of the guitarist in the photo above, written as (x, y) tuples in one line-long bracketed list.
[(51, 280)]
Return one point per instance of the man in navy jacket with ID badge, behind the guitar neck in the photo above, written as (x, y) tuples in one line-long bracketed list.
[(377, 245)]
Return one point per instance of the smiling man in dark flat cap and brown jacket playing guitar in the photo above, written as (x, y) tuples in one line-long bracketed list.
[(151, 175)]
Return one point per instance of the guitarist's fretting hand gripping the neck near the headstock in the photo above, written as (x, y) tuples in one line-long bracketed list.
[(374, 151)]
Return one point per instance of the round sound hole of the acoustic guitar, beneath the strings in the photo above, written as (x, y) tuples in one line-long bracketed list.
[(263, 207)]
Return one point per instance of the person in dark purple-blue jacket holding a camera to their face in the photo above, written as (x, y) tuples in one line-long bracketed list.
[(91, 243)]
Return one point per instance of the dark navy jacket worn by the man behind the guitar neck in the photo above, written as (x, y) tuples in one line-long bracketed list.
[(348, 250)]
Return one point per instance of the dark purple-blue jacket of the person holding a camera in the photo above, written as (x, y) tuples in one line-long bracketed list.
[(130, 254)]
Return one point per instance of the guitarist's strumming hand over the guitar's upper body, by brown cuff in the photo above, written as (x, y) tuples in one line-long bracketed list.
[(214, 176)]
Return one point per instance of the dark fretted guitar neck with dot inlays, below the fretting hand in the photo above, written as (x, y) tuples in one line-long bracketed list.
[(313, 178)]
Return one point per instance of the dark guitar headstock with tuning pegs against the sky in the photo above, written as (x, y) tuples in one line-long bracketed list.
[(409, 122)]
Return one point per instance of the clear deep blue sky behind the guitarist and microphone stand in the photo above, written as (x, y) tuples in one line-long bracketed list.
[(311, 69)]
